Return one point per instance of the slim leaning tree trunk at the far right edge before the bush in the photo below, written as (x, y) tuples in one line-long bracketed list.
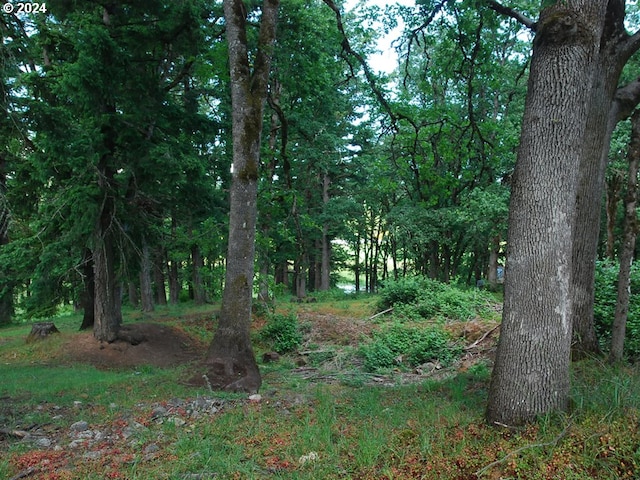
[(628, 245)]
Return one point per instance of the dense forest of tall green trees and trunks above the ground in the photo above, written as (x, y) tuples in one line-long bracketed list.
[(190, 152)]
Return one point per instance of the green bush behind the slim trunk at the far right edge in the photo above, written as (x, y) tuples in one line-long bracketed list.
[(604, 308)]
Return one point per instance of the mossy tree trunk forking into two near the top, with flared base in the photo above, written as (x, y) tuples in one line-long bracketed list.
[(231, 363)]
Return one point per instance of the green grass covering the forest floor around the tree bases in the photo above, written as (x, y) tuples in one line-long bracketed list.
[(342, 426)]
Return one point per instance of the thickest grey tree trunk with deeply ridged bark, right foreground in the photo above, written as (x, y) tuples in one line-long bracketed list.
[(531, 373)]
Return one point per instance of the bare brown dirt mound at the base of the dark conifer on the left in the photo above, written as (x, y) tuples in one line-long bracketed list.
[(139, 344)]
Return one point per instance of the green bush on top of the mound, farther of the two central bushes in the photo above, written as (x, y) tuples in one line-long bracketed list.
[(421, 297)]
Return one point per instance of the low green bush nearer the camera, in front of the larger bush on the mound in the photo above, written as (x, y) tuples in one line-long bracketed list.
[(404, 345)]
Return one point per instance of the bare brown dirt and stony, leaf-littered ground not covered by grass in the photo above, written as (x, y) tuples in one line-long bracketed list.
[(60, 449)]
